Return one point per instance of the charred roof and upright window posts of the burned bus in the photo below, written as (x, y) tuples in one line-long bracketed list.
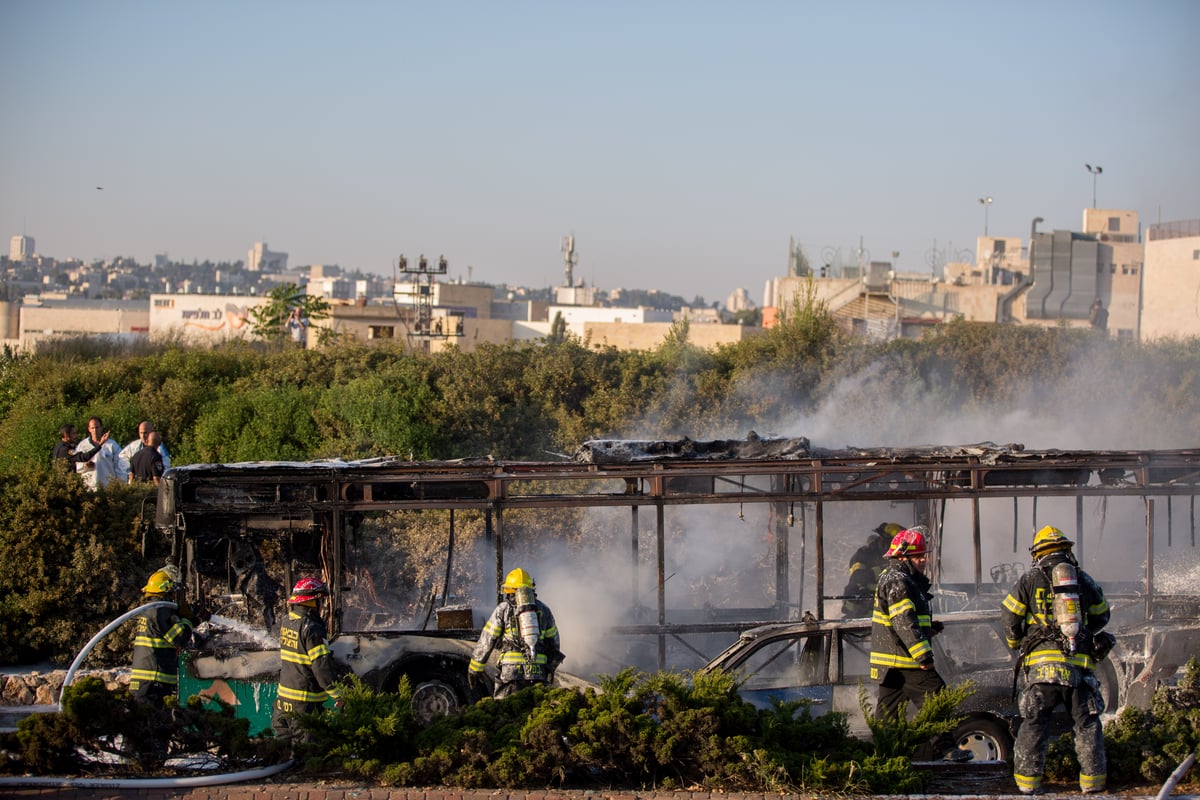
[(655, 477)]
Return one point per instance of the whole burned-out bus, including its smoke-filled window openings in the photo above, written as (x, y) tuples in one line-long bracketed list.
[(658, 555)]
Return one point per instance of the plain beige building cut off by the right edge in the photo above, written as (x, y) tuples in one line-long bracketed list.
[(1172, 281)]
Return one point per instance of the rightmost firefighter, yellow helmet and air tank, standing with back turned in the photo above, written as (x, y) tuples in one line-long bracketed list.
[(1054, 618)]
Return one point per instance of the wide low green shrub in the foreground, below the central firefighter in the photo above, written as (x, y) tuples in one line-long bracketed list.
[(644, 731)]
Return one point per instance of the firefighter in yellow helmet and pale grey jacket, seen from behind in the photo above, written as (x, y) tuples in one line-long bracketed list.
[(523, 629)]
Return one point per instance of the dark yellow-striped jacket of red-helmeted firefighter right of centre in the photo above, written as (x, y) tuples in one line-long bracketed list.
[(902, 623)]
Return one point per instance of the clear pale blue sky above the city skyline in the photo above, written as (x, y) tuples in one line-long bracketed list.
[(682, 143)]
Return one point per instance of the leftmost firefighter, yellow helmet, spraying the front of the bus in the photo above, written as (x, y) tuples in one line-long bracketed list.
[(161, 633)]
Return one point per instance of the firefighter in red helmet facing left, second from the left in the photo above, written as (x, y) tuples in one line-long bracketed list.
[(308, 676)]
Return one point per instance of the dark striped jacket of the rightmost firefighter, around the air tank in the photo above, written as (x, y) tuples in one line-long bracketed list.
[(1030, 627)]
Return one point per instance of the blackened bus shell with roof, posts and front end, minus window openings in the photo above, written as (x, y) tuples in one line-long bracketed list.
[(224, 524)]
